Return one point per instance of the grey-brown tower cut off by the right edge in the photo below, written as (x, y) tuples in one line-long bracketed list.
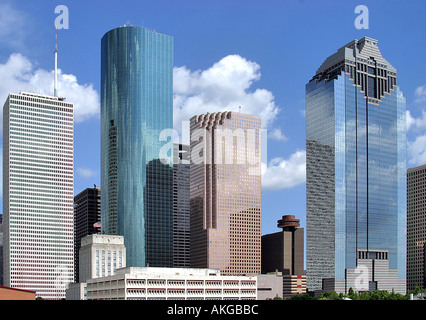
[(416, 226)]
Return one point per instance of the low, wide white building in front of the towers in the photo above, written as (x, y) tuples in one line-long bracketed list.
[(153, 283)]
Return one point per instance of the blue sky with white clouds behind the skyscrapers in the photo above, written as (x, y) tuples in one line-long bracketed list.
[(227, 53)]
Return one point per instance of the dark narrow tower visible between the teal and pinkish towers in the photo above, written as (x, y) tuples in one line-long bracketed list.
[(181, 208)]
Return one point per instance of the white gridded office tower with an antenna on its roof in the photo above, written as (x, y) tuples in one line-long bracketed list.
[(38, 193)]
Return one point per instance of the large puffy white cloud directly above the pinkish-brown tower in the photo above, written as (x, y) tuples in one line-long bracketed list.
[(224, 86)]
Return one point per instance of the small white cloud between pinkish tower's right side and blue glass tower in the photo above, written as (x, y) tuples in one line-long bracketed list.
[(284, 173)]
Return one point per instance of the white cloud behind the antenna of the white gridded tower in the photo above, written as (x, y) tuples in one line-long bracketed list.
[(19, 74)]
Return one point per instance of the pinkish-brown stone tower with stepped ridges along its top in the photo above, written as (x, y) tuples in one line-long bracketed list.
[(225, 192)]
